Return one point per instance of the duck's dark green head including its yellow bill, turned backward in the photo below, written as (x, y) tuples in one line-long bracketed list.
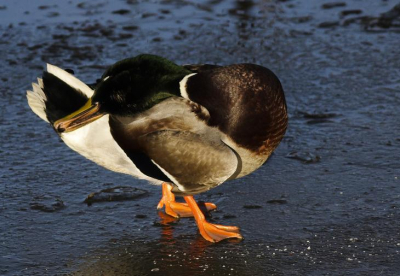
[(127, 88)]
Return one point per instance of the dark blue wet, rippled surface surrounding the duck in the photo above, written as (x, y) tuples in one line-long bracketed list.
[(328, 199)]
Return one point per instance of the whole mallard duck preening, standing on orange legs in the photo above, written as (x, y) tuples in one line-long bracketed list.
[(187, 128)]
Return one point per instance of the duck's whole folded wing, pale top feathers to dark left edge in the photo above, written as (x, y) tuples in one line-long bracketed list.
[(172, 142)]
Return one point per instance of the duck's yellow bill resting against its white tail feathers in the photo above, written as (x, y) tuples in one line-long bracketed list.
[(83, 116)]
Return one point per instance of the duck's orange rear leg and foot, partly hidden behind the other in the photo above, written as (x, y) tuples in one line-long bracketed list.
[(177, 209)]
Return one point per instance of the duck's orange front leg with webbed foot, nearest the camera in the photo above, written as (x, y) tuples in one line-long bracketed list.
[(209, 231)]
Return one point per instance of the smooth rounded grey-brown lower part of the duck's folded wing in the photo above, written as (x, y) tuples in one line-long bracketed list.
[(193, 162)]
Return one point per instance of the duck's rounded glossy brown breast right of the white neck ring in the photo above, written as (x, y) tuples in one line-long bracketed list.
[(246, 102)]
